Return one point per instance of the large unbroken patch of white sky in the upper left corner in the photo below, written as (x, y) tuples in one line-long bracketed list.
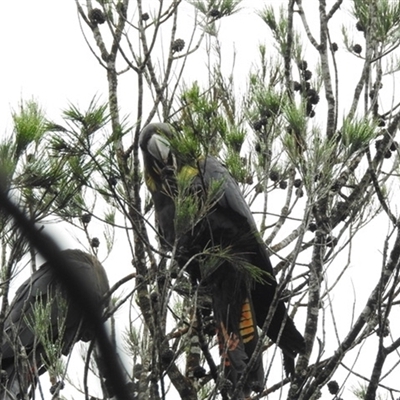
[(45, 57)]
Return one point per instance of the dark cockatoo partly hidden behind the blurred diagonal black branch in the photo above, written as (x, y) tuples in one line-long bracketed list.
[(24, 356)]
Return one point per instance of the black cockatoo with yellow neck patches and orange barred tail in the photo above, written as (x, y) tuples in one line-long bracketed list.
[(220, 247)]
